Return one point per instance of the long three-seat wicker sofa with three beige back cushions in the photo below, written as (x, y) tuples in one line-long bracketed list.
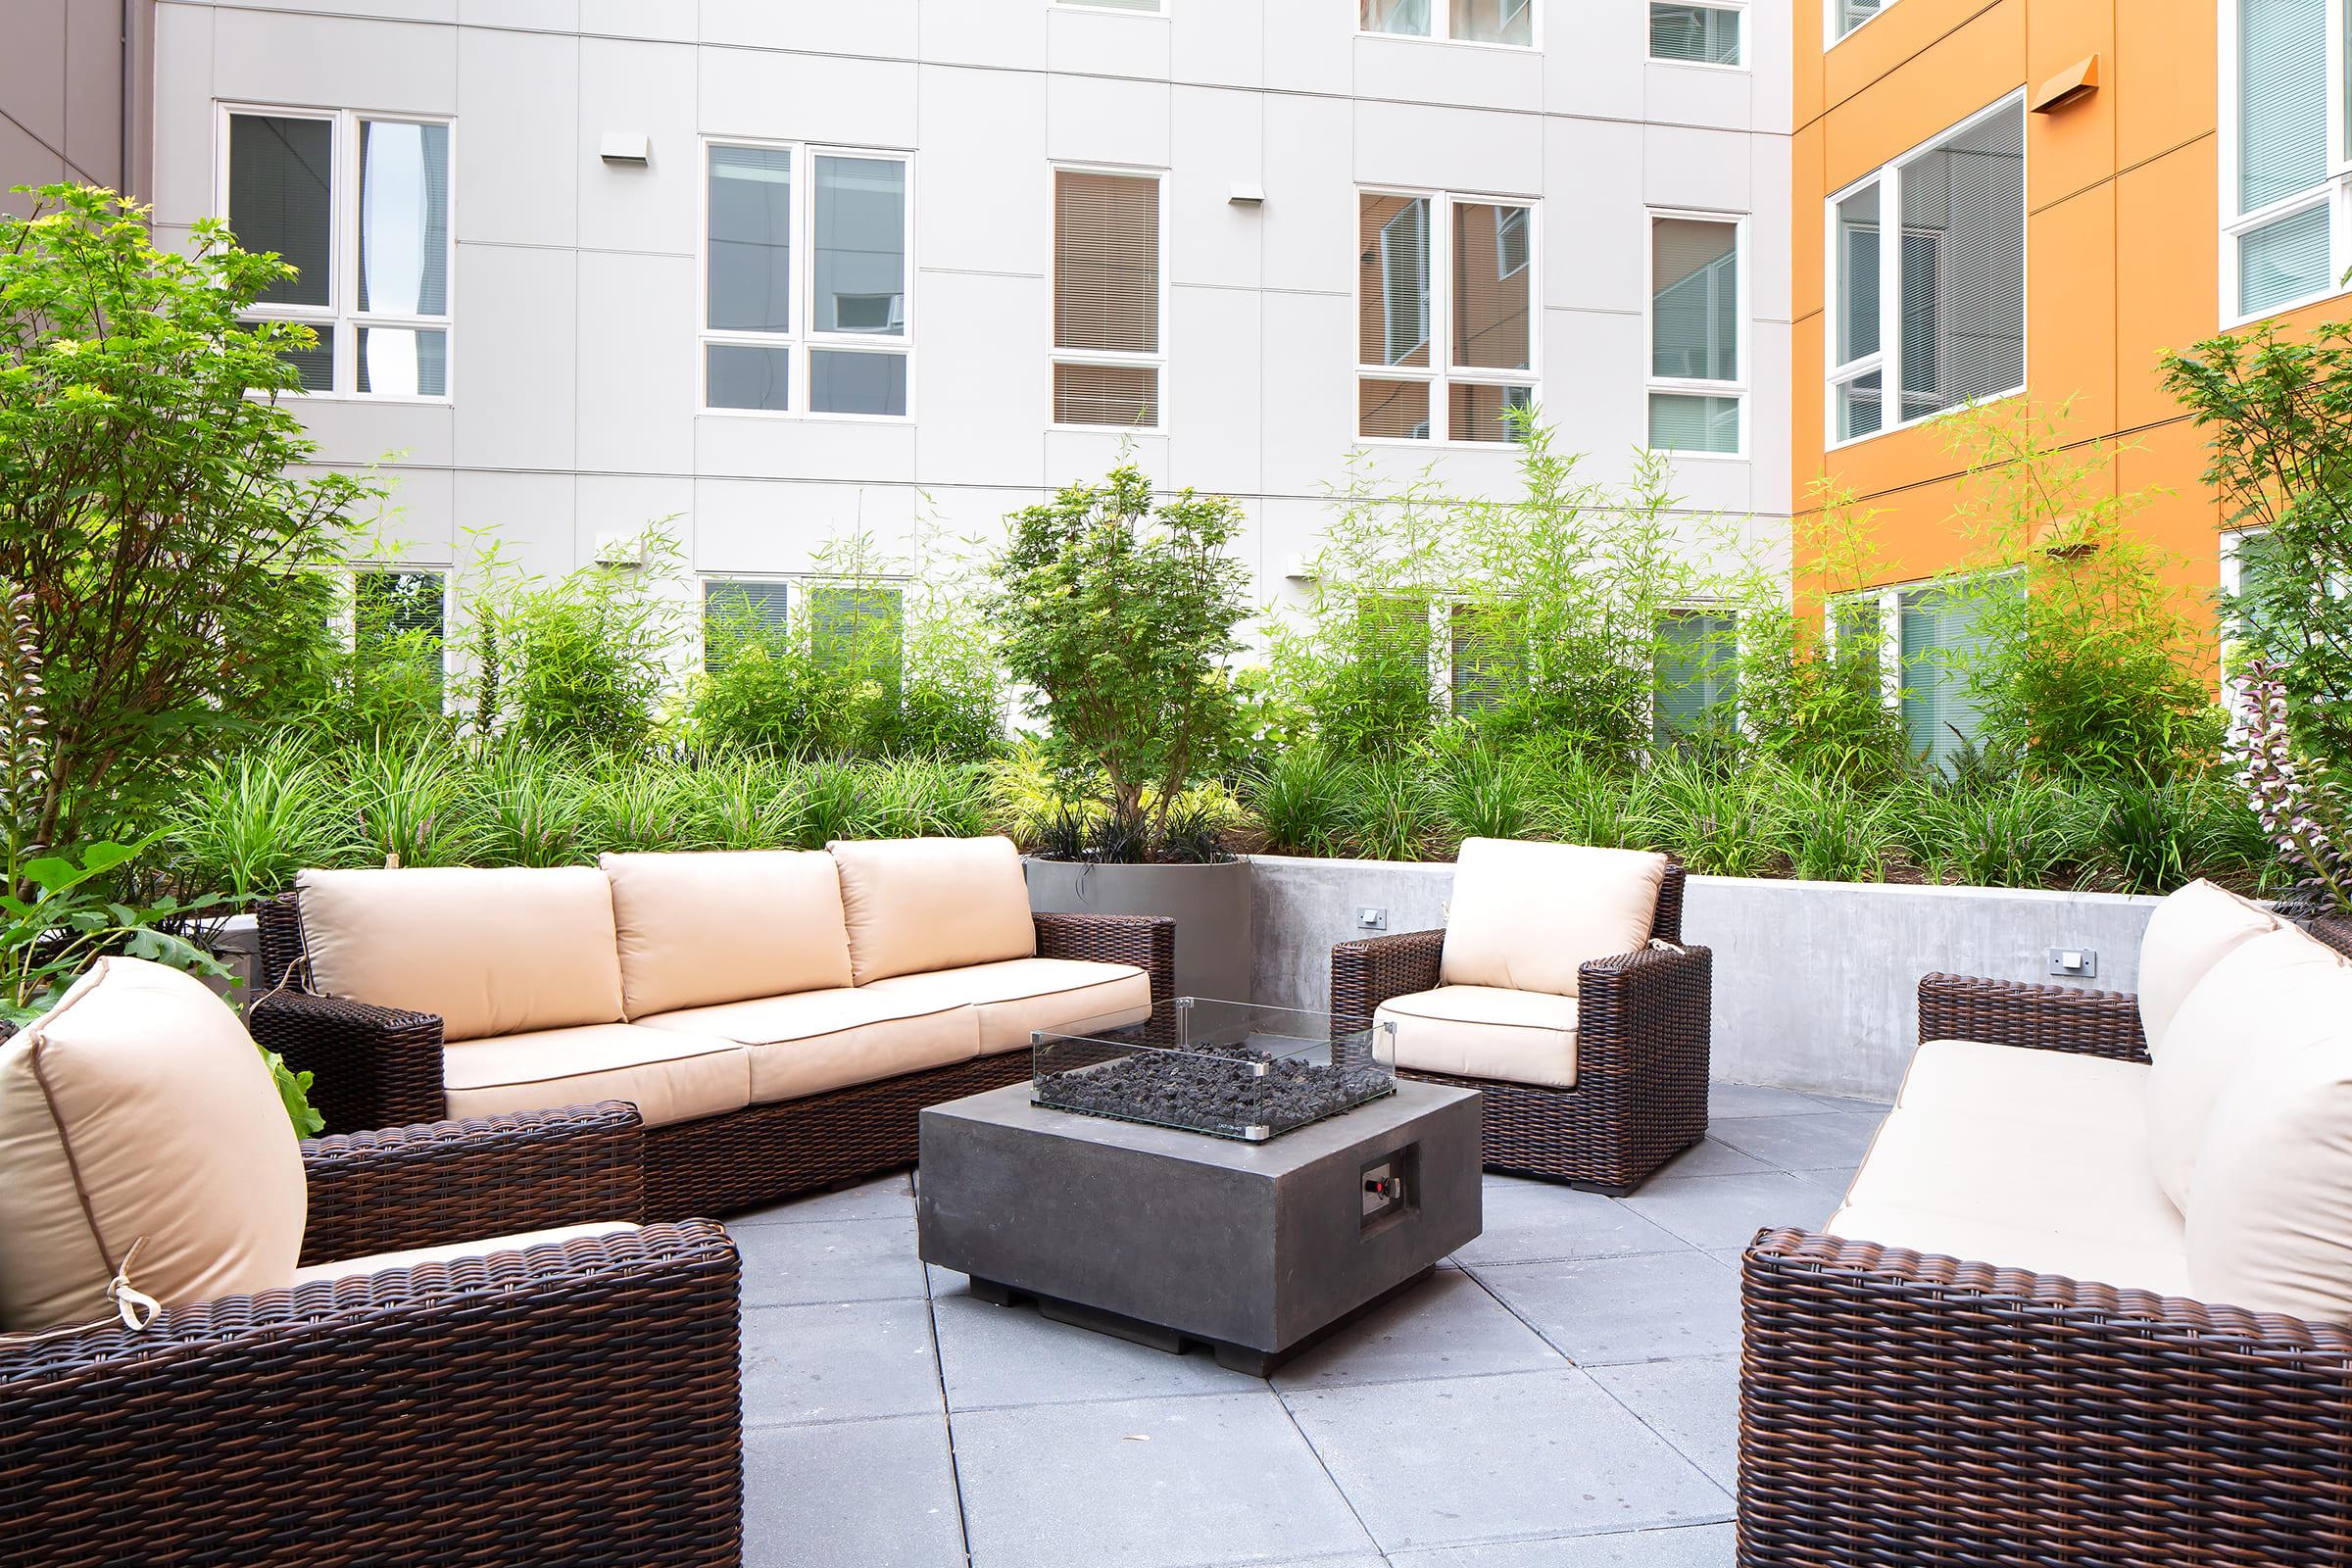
[(780, 1019)]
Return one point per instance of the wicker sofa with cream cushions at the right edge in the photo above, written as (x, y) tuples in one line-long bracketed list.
[(2012, 1346)]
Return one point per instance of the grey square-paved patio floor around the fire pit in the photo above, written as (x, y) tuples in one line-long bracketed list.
[(1561, 1395)]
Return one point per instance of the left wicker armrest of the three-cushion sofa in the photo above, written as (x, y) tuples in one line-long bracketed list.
[(373, 1066)]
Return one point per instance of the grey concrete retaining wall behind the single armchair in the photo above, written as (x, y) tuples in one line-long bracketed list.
[(1817, 984)]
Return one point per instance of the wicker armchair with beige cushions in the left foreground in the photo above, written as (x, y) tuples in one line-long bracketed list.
[(312, 1391)]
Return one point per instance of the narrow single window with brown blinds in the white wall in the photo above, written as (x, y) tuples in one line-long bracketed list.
[(1109, 297)]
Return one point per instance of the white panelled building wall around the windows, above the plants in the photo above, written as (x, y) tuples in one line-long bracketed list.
[(575, 354)]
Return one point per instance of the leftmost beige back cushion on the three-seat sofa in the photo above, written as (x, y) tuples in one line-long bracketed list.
[(490, 951)]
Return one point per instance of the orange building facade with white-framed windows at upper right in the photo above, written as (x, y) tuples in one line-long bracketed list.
[(2040, 196)]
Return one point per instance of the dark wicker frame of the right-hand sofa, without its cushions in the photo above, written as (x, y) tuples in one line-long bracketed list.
[(1904, 1407)]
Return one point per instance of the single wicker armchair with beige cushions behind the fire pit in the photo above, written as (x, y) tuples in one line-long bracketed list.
[(1577, 1012)]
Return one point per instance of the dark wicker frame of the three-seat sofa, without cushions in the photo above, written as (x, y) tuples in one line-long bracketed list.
[(385, 1068)]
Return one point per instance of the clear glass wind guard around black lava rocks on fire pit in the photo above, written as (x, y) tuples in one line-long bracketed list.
[(1220, 1068)]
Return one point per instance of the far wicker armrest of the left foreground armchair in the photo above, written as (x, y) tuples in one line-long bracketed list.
[(462, 1181)]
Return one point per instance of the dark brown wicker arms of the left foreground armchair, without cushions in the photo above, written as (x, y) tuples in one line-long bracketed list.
[(566, 1407)]
